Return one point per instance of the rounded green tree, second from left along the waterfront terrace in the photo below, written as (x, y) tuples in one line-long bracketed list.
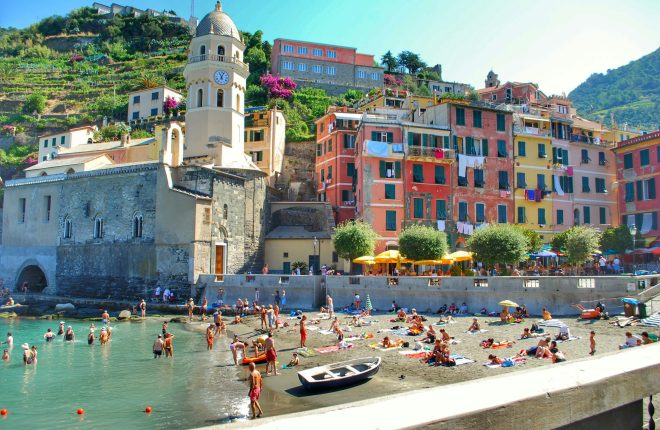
[(419, 242)]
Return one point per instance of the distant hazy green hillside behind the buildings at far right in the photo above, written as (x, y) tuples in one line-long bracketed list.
[(631, 93)]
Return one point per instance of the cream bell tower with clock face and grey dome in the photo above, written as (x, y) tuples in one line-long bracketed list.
[(216, 80)]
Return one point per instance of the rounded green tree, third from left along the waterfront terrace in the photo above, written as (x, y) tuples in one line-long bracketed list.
[(498, 243)]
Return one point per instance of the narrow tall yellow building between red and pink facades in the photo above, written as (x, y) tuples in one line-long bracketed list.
[(533, 171)]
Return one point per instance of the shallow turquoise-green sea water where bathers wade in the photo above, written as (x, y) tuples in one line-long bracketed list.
[(114, 383)]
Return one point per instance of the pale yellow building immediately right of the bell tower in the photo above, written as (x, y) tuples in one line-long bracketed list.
[(265, 135)]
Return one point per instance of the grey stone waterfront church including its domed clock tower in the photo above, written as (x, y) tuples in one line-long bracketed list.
[(120, 230)]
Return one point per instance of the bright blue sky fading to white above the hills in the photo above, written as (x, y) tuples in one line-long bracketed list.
[(557, 43)]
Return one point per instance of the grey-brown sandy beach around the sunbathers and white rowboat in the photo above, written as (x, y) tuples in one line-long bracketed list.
[(398, 373)]
